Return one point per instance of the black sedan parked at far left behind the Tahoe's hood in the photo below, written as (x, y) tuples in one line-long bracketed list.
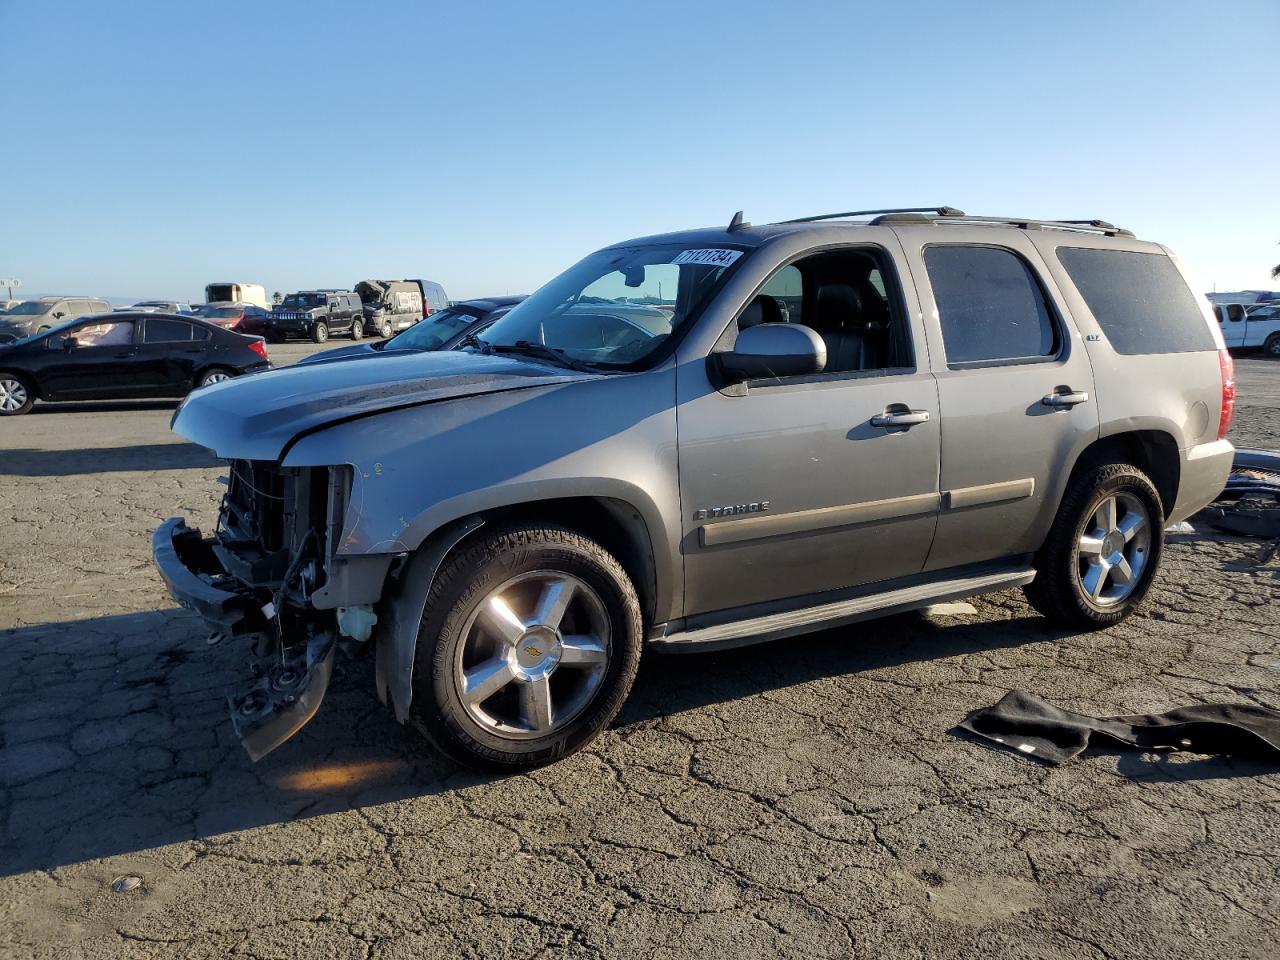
[(124, 355)]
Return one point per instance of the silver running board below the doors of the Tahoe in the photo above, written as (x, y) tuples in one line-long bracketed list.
[(776, 627)]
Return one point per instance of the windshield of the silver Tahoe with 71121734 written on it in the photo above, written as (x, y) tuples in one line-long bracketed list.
[(619, 307)]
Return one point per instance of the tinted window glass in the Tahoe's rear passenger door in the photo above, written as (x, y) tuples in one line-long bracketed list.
[(991, 307)]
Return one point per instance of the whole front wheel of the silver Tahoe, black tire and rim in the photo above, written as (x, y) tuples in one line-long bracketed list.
[(534, 673)]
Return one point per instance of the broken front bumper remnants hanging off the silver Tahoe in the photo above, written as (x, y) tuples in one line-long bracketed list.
[(286, 692)]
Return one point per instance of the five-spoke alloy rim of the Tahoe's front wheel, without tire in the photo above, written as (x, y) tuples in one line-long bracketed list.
[(533, 655)]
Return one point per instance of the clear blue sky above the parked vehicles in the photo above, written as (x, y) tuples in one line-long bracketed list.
[(152, 148)]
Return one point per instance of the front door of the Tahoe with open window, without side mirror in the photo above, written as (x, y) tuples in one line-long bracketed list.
[(789, 487)]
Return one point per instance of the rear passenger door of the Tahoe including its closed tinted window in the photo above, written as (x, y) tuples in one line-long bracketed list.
[(1016, 390)]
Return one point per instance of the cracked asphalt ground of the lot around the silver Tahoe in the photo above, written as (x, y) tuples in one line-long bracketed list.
[(799, 799)]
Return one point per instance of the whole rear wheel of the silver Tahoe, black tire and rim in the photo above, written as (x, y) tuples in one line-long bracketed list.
[(1077, 584)]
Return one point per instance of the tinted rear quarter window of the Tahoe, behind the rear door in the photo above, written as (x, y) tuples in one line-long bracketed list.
[(1140, 300)]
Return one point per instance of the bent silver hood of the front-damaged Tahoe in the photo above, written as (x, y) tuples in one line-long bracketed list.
[(257, 417)]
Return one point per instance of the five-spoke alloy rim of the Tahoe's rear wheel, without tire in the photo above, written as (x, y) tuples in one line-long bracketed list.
[(1113, 552)]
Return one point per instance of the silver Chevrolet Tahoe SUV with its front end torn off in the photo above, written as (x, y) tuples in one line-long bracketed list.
[(703, 440)]
